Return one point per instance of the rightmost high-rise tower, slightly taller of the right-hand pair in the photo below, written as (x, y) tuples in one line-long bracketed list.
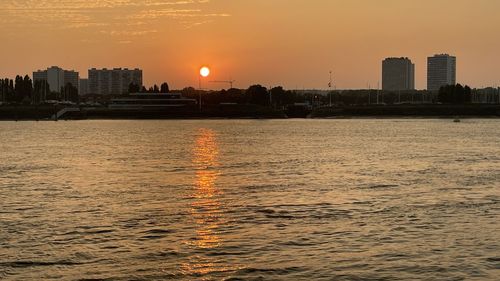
[(441, 71)]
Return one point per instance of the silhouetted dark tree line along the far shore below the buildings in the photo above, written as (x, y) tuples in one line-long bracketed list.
[(23, 90)]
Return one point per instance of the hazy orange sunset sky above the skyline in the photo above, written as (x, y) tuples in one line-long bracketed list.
[(292, 43)]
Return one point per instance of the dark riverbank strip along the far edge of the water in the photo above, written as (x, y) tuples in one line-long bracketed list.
[(234, 111)]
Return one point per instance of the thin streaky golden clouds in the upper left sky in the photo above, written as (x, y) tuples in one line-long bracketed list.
[(112, 14)]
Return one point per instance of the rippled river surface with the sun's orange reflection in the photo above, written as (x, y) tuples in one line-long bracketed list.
[(250, 200)]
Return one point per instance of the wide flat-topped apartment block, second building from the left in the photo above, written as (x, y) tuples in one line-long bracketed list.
[(113, 81)]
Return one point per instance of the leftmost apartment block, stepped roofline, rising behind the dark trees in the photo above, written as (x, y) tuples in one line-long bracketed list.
[(57, 77)]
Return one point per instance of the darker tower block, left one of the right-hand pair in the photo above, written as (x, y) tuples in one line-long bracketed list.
[(398, 74)]
